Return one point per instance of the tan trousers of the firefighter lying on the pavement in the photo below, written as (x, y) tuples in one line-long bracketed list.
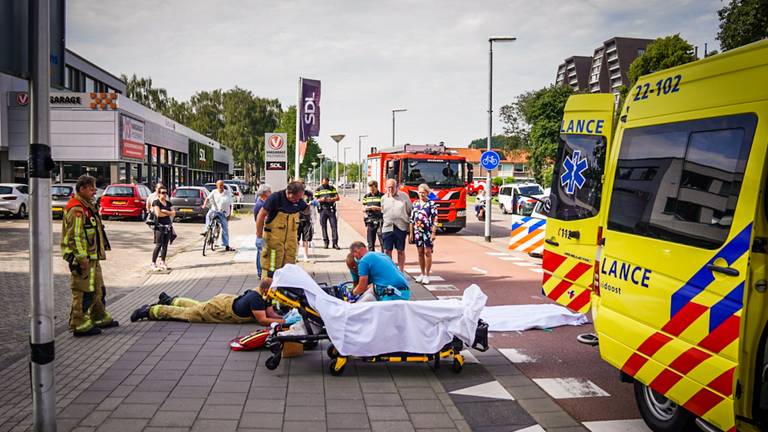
[(216, 310)]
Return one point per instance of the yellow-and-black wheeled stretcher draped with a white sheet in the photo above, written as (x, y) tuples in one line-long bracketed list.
[(330, 298)]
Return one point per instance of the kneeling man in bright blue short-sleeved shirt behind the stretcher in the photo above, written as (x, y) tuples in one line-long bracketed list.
[(377, 269)]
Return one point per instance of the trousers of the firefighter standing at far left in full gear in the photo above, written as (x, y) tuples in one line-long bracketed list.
[(89, 297)]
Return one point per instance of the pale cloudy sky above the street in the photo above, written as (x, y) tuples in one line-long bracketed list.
[(429, 56)]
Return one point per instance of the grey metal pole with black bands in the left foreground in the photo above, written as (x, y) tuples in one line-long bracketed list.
[(41, 339)]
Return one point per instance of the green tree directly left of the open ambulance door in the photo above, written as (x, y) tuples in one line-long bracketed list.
[(535, 117)]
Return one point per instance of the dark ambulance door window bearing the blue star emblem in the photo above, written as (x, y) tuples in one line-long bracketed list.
[(577, 179)]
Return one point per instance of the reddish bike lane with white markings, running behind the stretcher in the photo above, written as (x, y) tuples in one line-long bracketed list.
[(572, 373)]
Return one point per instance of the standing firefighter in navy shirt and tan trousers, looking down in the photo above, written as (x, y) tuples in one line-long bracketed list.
[(277, 227)]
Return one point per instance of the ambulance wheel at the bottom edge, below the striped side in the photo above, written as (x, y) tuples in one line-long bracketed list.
[(660, 413)]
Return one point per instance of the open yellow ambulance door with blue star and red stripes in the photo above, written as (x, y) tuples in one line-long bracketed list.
[(572, 224)]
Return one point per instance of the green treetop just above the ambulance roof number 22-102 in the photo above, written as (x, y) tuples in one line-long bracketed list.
[(663, 53)]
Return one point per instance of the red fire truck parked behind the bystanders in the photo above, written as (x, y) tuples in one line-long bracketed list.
[(444, 172)]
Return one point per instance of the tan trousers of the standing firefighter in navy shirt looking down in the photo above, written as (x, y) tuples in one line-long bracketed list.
[(280, 242)]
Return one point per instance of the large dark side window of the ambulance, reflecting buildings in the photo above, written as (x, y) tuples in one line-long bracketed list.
[(680, 182)]
